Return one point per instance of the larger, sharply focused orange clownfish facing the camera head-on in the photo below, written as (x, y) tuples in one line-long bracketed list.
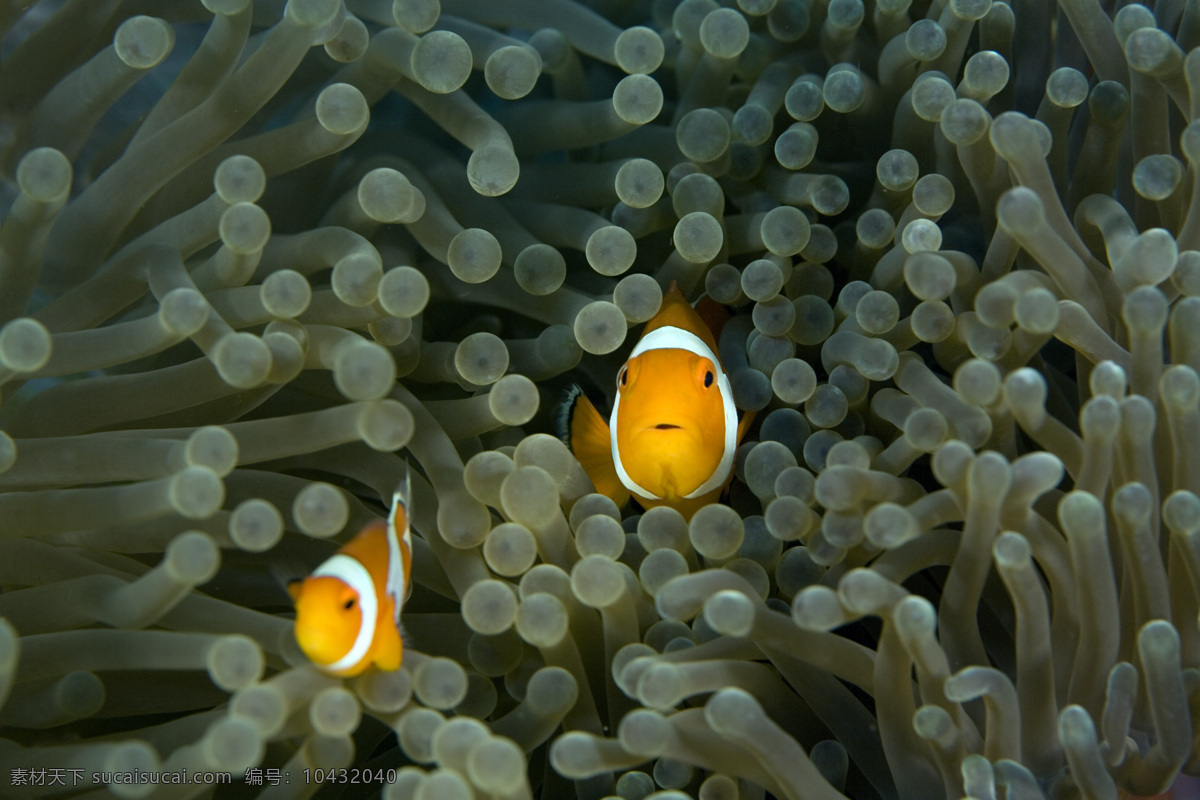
[(674, 429)]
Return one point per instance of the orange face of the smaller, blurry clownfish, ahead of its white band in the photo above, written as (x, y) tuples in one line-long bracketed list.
[(328, 619)]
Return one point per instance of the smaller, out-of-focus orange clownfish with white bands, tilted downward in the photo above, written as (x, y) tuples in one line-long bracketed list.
[(349, 610)]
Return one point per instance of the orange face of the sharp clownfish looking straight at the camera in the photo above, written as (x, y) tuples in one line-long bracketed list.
[(670, 423)]
